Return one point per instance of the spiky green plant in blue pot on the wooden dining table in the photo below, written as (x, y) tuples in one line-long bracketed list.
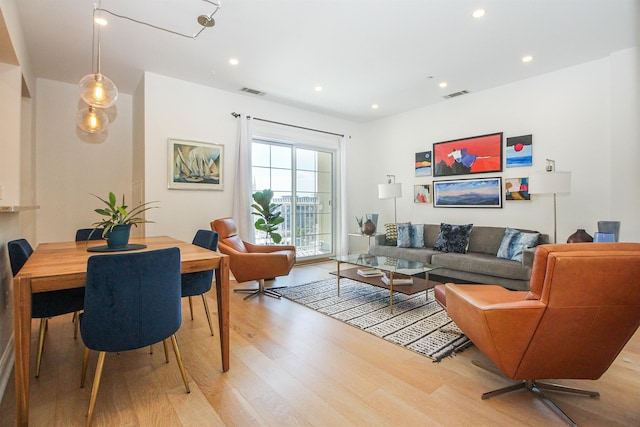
[(118, 220)]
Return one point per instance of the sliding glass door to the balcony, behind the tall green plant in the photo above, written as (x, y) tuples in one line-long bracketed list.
[(302, 180)]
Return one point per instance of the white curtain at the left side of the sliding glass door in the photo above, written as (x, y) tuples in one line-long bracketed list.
[(242, 198)]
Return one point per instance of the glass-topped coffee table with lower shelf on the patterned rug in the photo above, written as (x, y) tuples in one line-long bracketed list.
[(400, 271)]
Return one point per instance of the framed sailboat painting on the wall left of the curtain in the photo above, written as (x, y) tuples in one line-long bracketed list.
[(195, 165)]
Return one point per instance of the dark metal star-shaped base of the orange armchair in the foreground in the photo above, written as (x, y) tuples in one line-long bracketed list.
[(536, 387)]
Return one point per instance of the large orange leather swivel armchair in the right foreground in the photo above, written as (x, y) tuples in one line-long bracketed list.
[(582, 307)]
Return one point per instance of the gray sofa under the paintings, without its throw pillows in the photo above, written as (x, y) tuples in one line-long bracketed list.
[(479, 264)]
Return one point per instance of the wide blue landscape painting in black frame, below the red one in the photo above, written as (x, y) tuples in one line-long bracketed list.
[(468, 193)]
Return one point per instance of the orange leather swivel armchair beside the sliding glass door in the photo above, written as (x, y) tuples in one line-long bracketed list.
[(253, 262)]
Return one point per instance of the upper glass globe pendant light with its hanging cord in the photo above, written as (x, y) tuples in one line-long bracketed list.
[(96, 89)]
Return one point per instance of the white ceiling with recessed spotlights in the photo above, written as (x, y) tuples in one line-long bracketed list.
[(393, 53)]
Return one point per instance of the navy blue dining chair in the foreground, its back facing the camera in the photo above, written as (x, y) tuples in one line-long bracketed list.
[(132, 300)]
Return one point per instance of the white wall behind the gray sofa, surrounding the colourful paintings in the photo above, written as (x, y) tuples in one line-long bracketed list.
[(568, 113)]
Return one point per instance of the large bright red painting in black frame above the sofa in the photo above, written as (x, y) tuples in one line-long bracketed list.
[(478, 154)]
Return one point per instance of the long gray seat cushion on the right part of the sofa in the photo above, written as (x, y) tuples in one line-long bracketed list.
[(485, 264)]
